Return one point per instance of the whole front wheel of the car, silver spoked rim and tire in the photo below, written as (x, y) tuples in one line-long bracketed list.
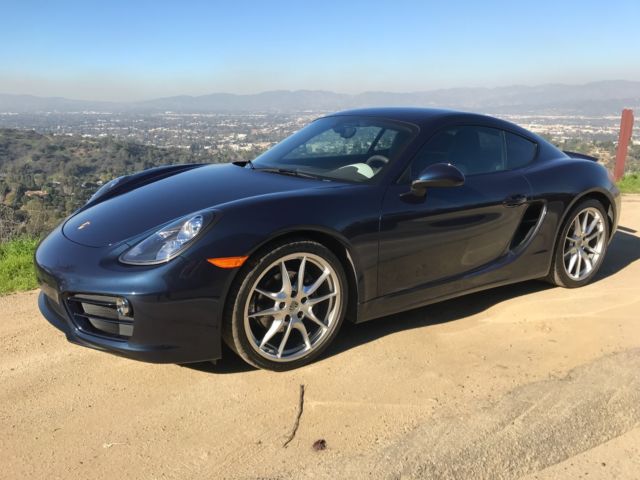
[(288, 305)]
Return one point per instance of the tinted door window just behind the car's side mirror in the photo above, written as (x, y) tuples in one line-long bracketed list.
[(472, 149)]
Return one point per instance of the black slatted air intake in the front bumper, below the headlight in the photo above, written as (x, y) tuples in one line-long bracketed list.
[(98, 315)]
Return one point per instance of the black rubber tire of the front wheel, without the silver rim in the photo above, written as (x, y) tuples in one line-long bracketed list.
[(236, 336)]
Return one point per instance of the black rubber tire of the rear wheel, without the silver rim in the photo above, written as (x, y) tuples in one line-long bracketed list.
[(558, 273)]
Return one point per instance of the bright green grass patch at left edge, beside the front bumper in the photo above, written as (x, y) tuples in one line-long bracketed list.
[(16, 265)]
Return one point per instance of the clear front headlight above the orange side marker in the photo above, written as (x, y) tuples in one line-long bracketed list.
[(167, 242)]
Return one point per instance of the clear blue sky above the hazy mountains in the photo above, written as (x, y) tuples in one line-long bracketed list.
[(135, 50)]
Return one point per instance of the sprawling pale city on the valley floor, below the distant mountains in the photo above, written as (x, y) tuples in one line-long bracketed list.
[(246, 132)]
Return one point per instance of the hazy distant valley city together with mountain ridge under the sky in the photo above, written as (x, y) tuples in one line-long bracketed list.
[(223, 122)]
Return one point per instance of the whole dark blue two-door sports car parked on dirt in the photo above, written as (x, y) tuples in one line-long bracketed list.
[(359, 215)]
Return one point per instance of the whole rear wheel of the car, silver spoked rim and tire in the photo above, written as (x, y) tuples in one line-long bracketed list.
[(581, 245)]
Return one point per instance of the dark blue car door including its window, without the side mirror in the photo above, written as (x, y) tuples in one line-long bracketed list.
[(452, 230)]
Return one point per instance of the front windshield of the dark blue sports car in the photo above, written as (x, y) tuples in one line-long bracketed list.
[(347, 148)]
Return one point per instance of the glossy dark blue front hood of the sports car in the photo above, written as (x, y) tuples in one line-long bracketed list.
[(133, 212)]
